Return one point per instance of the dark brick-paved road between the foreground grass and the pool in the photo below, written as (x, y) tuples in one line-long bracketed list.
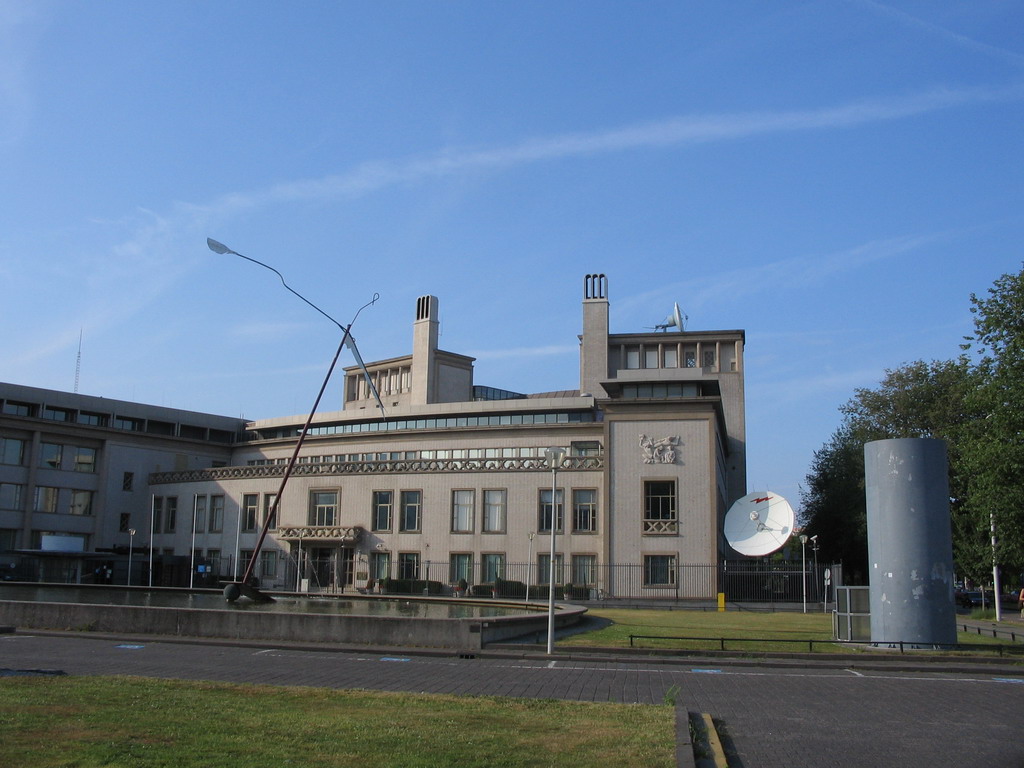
[(777, 716)]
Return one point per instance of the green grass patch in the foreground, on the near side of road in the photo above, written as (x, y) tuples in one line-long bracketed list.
[(83, 722)]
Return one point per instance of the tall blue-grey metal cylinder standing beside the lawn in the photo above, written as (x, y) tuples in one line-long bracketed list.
[(910, 542)]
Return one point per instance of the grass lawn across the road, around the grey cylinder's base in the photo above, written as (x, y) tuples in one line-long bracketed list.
[(745, 628)]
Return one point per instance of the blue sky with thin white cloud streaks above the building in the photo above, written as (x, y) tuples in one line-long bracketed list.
[(834, 179)]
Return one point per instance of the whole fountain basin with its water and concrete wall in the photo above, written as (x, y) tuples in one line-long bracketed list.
[(431, 623)]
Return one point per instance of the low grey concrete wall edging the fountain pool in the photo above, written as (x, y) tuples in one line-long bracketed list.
[(458, 634)]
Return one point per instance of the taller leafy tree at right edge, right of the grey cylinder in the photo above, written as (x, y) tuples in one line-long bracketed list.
[(994, 445)]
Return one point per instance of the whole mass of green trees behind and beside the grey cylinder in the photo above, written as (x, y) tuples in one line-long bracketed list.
[(974, 403)]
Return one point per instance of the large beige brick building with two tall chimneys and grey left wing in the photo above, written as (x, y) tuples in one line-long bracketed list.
[(449, 484)]
